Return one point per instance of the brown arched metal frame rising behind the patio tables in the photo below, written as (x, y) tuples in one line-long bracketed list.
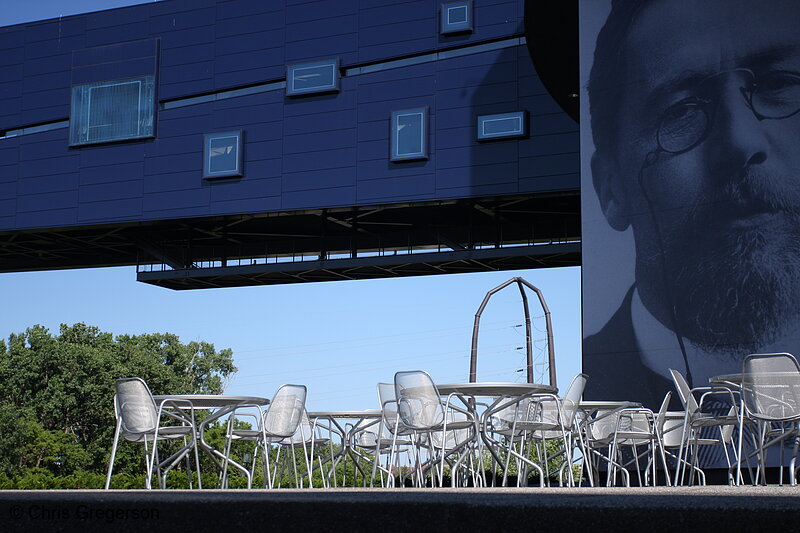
[(473, 363)]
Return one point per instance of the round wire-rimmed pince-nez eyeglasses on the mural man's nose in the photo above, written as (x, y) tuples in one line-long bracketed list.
[(684, 125)]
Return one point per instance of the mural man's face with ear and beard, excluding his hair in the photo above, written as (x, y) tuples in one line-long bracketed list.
[(706, 167)]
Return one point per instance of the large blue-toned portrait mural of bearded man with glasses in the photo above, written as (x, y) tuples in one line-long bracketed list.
[(690, 140)]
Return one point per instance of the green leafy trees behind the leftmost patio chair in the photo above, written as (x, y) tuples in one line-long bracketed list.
[(56, 400)]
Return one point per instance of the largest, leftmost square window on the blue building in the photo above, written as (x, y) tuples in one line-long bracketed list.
[(110, 111)]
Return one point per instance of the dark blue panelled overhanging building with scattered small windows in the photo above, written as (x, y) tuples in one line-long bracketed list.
[(219, 67)]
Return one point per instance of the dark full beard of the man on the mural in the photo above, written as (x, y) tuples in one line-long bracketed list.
[(735, 282)]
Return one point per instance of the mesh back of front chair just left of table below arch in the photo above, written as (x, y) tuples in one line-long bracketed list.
[(418, 402)]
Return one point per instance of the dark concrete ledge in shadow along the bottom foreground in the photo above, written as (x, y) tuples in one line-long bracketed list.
[(553, 509)]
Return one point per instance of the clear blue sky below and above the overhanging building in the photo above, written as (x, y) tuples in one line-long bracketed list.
[(339, 338)]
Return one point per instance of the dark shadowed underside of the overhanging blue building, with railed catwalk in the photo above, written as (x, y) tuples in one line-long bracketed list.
[(442, 237)]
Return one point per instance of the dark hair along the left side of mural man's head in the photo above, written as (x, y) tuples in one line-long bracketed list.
[(608, 70)]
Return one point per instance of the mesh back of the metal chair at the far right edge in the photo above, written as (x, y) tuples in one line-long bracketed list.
[(771, 386)]
